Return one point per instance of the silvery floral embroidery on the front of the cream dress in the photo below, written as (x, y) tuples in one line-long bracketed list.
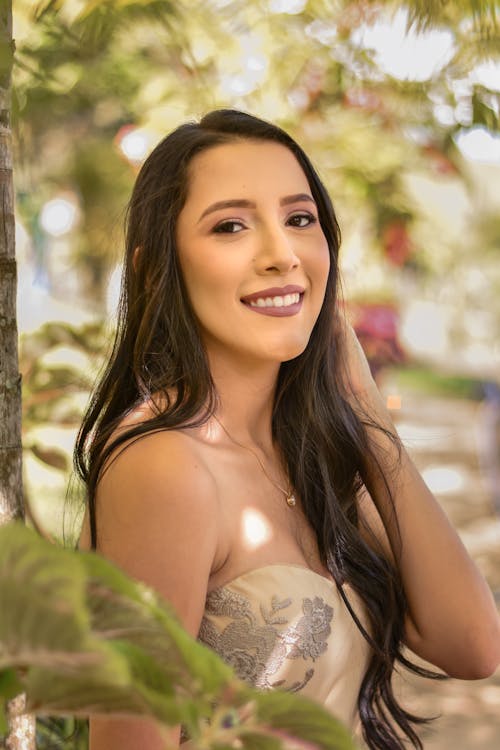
[(257, 651)]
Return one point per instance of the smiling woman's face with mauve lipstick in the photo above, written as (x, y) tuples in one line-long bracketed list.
[(252, 252)]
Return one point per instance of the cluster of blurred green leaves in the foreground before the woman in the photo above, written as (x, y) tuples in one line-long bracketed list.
[(81, 638)]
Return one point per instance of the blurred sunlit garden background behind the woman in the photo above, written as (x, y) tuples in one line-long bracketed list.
[(397, 104)]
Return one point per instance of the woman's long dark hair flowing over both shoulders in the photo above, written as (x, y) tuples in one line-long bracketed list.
[(323, 441)]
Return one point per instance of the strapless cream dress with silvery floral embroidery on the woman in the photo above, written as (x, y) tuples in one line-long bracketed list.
[(287, 626)]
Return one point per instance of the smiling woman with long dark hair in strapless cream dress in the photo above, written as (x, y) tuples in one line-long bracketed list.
[(239, 458)]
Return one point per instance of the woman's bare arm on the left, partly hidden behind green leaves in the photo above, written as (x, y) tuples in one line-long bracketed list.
[(157, 516)]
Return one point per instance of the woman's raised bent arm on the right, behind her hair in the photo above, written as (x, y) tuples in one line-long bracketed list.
[(453, 622)]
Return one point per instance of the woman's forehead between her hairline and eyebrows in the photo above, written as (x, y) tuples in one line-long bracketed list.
[(244, 169)]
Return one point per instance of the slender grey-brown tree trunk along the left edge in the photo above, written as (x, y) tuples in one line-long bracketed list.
[(21, 727)]
